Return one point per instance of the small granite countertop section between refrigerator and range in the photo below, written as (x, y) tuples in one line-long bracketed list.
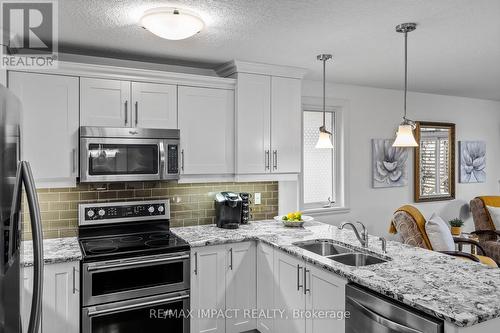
[(55, 250)]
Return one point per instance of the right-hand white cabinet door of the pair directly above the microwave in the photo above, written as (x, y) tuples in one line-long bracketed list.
[(154, 105)]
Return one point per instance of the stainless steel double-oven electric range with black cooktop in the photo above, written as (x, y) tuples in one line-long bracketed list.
[(134, 272)]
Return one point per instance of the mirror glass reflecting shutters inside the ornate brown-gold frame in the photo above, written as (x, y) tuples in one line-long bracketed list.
[(434, 146)]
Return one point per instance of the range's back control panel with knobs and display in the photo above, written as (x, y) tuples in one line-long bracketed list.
[(124, 211)]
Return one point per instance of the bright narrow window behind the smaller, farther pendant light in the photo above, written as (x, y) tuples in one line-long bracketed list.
[(318, 178)]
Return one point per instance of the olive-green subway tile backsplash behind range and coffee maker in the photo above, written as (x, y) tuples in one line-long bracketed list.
[(190, 204)]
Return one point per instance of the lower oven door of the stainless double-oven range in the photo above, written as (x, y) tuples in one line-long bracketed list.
[(156, 314)]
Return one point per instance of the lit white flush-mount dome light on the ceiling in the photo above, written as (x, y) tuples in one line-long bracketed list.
[(171, 23)]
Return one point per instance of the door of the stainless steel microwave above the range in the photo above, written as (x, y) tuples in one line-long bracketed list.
[(112, 159)]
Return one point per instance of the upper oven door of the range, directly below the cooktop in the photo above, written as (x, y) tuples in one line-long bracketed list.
[(116, 280)]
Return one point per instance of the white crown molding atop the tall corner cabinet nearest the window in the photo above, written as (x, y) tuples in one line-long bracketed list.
[(238, 66)]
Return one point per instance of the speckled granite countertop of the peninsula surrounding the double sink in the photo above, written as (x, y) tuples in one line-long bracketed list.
[(461, 292)]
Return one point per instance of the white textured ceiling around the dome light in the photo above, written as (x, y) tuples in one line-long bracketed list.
[(454, 51)]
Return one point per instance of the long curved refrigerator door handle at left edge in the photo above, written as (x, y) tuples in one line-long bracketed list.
[(34, 209)]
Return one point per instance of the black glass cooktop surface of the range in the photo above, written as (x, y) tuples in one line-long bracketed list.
[(135, 244)]
